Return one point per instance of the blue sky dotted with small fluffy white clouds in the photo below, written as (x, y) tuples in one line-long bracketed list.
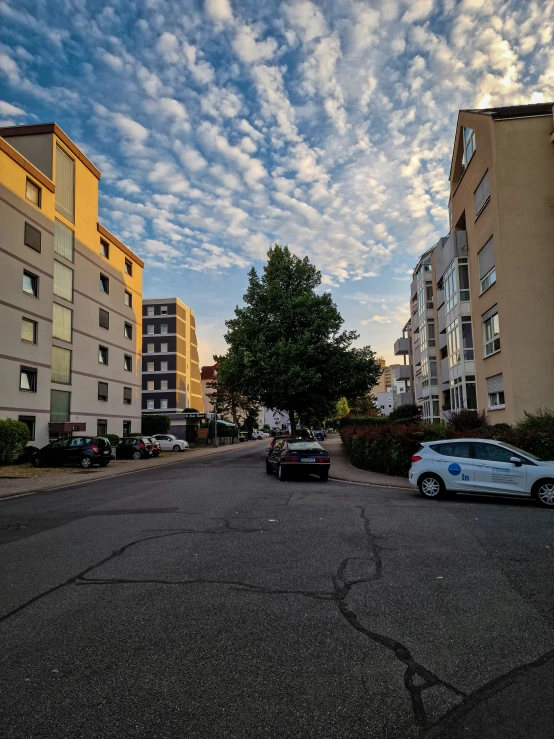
[(224, 126)]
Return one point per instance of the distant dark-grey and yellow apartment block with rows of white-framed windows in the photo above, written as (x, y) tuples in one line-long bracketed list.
[(171, 372)]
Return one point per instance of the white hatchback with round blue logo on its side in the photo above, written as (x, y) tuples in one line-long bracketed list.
[(480, 466)]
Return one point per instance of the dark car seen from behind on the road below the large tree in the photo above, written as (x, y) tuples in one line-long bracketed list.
[(298, 455)]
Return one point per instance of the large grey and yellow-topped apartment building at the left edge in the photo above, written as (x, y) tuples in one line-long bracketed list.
[(70, 294)]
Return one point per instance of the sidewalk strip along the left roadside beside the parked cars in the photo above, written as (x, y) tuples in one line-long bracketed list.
[(51, 478)]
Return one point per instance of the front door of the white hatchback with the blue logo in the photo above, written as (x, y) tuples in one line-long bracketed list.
[(495, 473)]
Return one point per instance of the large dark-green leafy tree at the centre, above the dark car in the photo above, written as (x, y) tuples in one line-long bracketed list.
[(286, 349)]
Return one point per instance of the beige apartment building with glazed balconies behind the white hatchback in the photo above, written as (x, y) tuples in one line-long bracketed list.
[(482, 298)]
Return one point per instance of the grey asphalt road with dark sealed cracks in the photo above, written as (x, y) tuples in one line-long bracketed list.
[(207, 599)]
